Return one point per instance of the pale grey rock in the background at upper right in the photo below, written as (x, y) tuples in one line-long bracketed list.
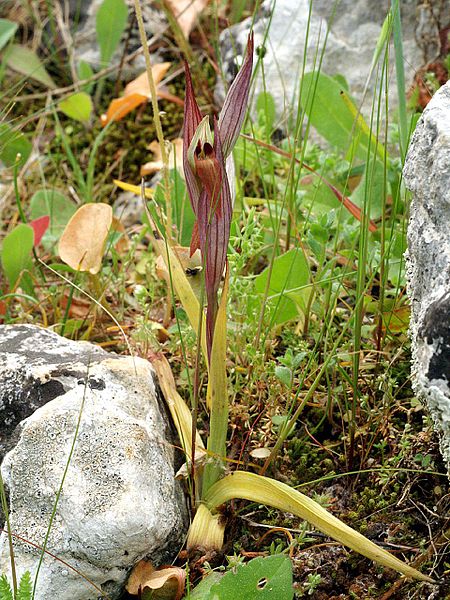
[(354, 30)]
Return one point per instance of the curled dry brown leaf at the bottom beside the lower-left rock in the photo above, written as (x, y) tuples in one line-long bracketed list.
[(166, 583)]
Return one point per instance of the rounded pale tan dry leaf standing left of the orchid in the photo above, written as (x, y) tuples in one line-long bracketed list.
[(82, 243)]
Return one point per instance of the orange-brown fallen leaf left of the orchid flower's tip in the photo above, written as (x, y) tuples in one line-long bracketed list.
[(137, 92)]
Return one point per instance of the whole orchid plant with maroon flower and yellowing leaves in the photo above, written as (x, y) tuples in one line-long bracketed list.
[(206, 155)]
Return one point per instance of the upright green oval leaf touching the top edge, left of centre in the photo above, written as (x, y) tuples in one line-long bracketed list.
[(111, 22)]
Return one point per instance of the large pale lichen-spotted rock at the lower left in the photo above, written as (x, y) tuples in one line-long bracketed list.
[(120, 501)]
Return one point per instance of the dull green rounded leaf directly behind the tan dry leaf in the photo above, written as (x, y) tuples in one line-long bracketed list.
[(58, 207)]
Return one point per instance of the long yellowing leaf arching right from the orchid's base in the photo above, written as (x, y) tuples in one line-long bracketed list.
[(264, 490)]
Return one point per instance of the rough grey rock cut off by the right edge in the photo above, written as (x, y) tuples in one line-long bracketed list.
[(427, 175)]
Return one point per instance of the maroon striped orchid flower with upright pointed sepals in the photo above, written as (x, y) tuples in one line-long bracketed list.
[(204, 157)]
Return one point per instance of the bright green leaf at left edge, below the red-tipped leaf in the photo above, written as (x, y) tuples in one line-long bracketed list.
[(16, 256)]
